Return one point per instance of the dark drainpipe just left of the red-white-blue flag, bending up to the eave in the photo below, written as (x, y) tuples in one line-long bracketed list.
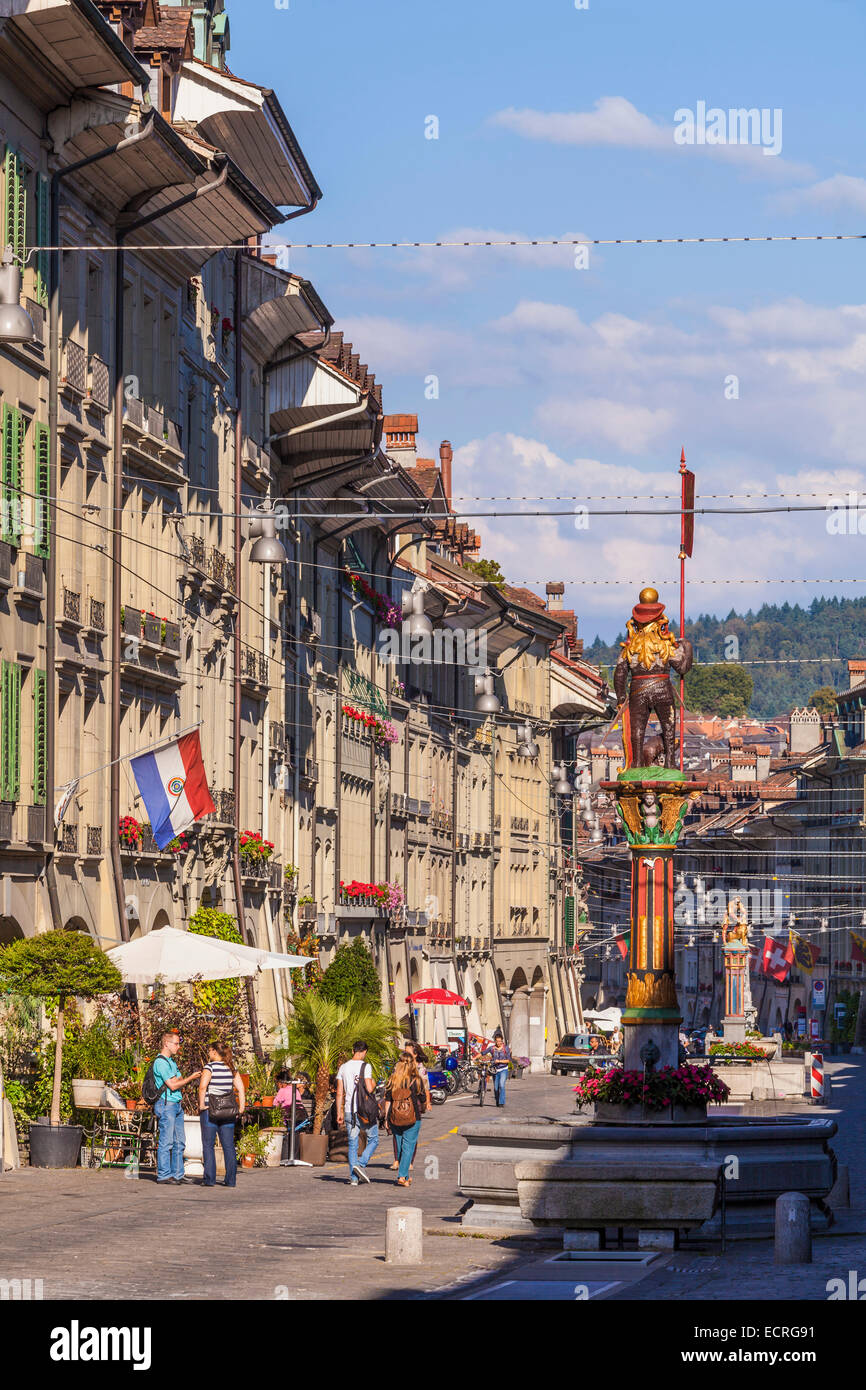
[(117, 536)]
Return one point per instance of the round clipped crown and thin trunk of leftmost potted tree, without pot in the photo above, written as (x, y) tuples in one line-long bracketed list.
[(58, 965)]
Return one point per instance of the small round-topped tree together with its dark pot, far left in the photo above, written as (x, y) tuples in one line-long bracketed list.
[(56, 967)]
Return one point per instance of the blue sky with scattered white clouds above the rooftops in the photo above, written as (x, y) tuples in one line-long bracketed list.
[(558, 380)]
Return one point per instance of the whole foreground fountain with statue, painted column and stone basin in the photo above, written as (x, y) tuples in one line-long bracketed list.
[(632, 1167)]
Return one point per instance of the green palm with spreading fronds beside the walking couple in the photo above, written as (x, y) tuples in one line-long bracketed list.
[(320, 1036)]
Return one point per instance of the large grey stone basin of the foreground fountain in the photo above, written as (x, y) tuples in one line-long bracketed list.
[(768, 1156)]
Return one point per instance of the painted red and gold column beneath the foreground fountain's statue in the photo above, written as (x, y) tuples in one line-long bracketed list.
[(653, 804)]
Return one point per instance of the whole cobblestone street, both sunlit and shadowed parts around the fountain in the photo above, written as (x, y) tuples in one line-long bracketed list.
[(307, 1235)]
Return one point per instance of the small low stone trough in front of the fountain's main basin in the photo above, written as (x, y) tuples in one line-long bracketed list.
[(646, 1197)]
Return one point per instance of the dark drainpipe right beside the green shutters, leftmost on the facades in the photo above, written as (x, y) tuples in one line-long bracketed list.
[(145, 129)]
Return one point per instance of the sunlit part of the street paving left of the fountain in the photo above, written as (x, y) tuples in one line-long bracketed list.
[(291, 1234)]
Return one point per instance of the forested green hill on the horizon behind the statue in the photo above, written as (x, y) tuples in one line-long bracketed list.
[(787, 633)]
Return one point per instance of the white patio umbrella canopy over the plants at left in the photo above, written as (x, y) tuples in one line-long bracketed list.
[(177, 957)]
